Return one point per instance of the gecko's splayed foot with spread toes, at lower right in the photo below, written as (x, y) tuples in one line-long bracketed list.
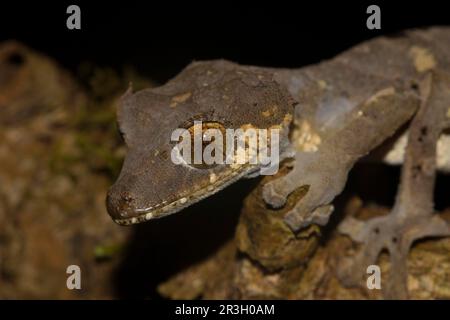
[(389, 232)]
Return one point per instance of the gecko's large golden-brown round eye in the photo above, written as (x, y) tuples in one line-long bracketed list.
[(208, 141)]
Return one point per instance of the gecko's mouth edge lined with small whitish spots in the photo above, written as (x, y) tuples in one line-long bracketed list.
[(166, 208)]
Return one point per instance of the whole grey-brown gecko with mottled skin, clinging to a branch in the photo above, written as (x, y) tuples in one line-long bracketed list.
[(330, 115)]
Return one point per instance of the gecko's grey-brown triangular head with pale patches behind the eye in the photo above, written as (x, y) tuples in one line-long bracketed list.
[(156, 180)]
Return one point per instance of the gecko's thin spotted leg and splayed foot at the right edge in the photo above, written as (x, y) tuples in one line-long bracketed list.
[(412, 216)]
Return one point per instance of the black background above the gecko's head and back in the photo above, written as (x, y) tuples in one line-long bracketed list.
[(159, 38)]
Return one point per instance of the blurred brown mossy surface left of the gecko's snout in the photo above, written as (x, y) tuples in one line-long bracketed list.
[(58, 152)]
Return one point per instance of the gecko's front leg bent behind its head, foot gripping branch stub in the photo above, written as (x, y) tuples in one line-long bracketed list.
[(324, 170)]
